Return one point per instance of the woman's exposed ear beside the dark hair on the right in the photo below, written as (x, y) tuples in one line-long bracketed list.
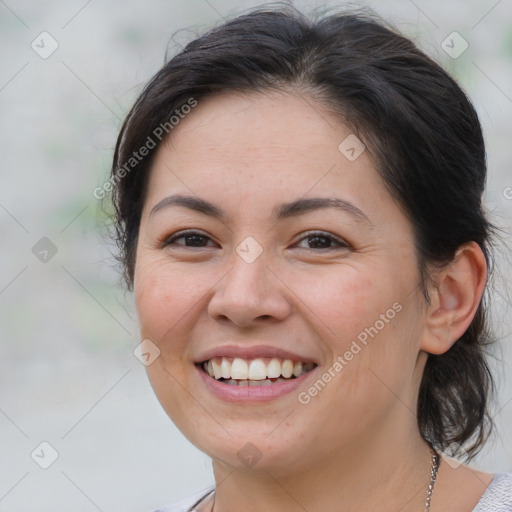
[(454, 299)]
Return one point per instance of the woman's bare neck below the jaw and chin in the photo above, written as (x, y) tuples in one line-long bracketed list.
[(388, 471)]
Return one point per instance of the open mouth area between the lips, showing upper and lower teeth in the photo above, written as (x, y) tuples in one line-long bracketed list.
[(254, 372)]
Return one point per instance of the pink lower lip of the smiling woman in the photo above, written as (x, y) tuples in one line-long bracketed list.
[(232, 393)]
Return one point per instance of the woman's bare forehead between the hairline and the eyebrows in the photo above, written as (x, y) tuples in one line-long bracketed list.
[(257, 150)]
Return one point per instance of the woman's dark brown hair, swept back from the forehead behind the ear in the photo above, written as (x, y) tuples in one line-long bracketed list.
[(421, 130)]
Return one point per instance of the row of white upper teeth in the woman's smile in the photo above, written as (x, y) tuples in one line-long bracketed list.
[(254, 369)]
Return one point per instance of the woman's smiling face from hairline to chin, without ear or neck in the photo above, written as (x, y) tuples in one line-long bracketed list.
[(299, 259)]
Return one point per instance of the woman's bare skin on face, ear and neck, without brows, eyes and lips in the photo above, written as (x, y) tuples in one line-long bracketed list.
[(356, 444)]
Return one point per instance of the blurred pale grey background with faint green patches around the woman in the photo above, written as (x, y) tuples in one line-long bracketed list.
[(80, 427)]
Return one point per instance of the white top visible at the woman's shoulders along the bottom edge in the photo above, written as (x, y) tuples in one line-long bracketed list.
[(497, 497)]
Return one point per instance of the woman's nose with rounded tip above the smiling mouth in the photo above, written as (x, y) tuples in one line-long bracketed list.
[(250, 294)]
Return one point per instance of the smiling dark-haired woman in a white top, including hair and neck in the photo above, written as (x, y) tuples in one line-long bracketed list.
[(299, 213)]
